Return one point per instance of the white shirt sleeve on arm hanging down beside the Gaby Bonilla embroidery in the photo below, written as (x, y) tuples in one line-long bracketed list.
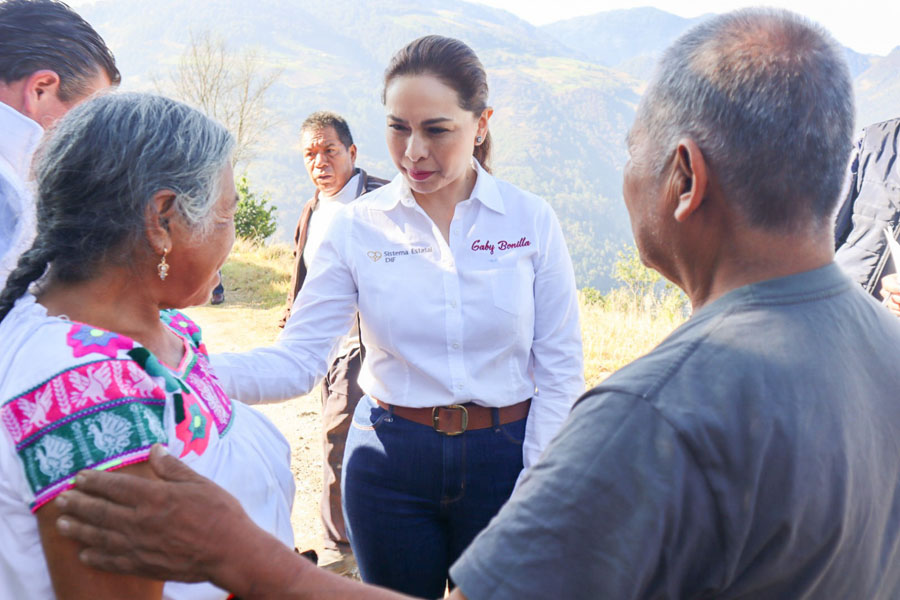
[(556, 352)]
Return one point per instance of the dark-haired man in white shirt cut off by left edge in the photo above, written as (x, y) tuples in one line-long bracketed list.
[(50, 60)]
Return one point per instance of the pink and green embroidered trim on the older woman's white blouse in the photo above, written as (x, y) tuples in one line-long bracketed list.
[(104, 407)]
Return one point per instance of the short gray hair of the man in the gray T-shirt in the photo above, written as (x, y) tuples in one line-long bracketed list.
[(767, 96)]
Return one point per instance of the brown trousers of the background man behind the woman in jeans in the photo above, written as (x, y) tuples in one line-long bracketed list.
[(340, 395)]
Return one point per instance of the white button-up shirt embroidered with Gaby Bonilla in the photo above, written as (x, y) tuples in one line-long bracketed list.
[(490, 317)]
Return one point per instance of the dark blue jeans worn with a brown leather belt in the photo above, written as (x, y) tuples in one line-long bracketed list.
[(415, 498)]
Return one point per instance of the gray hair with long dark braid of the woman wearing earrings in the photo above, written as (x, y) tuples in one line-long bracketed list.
[(98, 170)]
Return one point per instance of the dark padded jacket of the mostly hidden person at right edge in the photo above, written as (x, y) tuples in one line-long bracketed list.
[(871, 202)]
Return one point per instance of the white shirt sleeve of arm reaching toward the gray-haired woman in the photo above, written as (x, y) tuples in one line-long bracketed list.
[(323, 313)]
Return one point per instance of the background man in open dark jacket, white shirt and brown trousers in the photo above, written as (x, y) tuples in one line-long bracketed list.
[(329, 155)]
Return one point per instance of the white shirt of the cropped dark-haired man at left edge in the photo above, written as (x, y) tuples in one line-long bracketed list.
[(19, 136)]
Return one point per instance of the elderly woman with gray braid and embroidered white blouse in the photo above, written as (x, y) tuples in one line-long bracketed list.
[(135, 201)]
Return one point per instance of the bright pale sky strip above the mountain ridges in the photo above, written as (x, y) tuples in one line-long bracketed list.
[(867, 26)]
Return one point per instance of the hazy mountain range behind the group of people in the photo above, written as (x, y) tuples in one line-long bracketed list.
[(564, 94)]
